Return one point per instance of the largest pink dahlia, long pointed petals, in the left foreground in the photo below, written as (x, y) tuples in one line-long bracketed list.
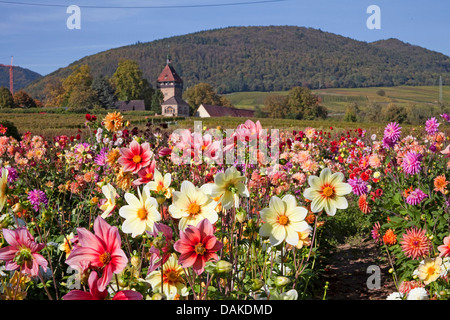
[(101, 251)]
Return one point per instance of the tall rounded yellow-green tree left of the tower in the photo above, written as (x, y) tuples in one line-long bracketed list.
[(128, 82)]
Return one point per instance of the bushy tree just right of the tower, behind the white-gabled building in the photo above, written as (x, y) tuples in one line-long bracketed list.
[(203, 93)]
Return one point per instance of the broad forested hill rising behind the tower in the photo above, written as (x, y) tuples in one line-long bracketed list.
[(274, 58)]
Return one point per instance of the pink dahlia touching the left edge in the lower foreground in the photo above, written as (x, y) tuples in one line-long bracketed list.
[(22, 252)]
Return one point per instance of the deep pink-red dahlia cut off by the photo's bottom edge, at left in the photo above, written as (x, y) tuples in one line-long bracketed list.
[(95, 294)]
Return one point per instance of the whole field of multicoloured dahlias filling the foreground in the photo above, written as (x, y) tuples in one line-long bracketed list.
[(121, 213)]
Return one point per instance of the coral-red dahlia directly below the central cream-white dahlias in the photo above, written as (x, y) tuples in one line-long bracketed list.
[(197, 245)]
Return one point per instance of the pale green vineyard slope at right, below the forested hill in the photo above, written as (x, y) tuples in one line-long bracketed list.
[(337, 99)]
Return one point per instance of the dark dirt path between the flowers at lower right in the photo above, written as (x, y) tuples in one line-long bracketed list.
[(346, 272)]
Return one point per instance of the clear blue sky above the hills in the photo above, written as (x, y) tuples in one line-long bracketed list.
[(38, 38)]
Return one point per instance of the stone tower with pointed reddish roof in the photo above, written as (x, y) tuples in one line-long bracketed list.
[(171, 86)]
